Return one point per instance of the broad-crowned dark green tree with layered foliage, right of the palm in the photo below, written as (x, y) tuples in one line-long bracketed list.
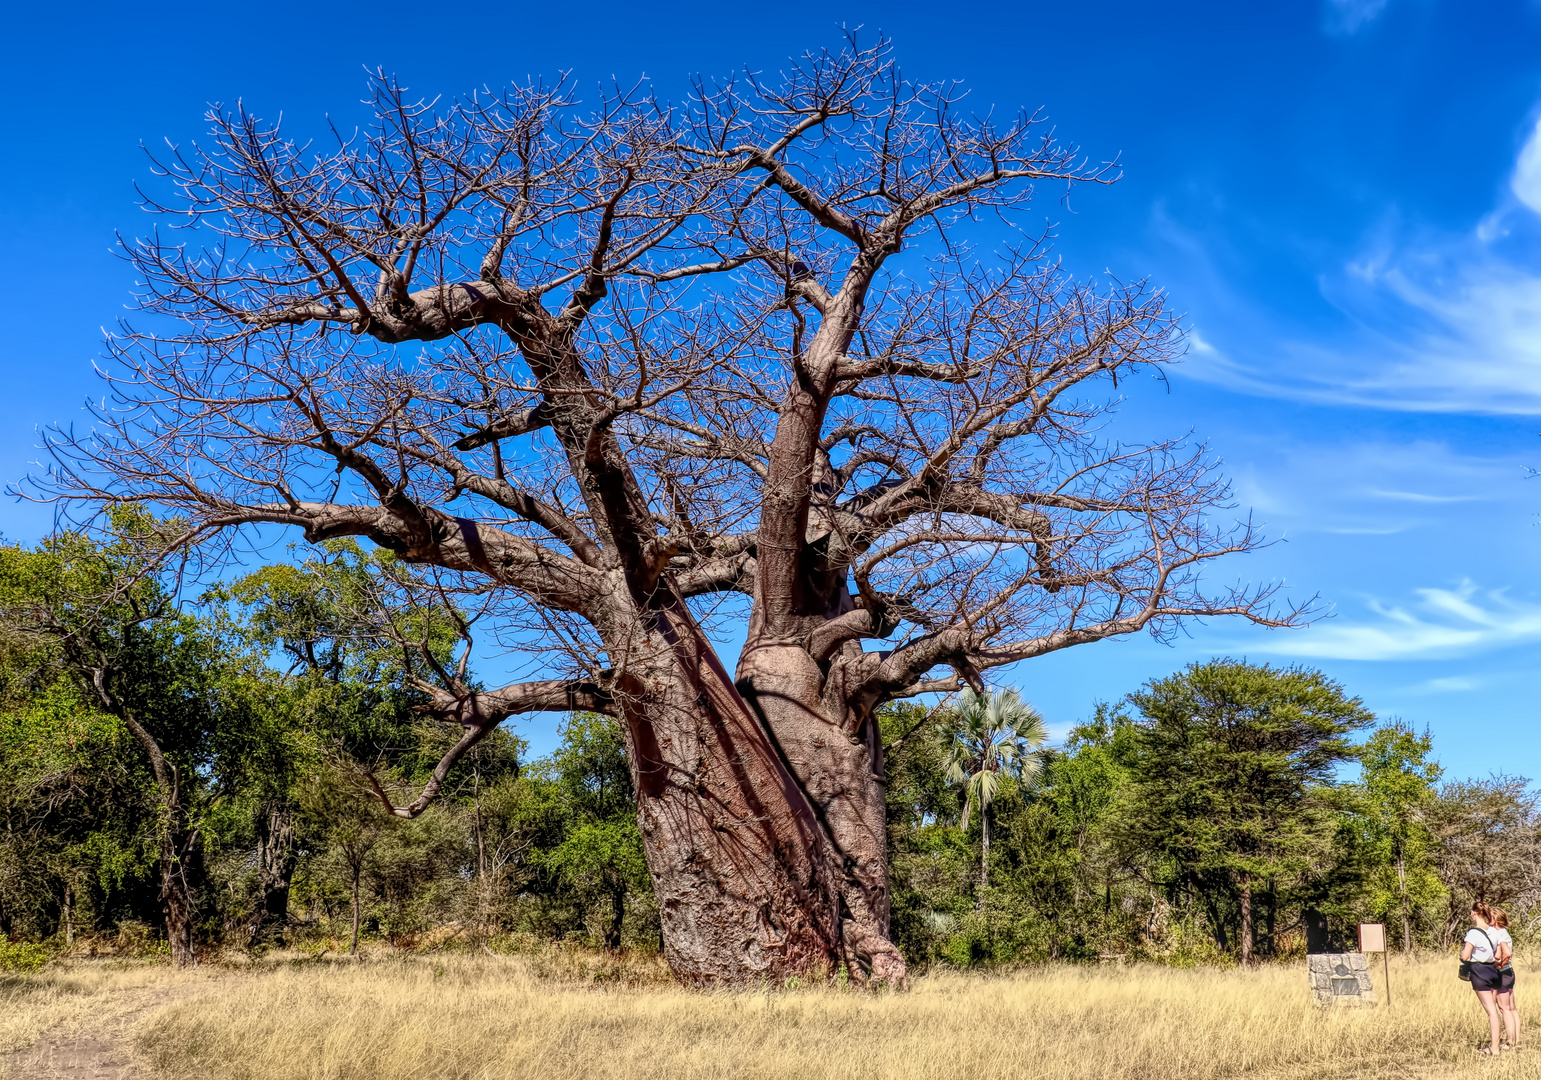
[(1227, 780)]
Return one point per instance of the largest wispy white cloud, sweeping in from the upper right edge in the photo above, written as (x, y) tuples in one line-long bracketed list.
[(1431, 321)]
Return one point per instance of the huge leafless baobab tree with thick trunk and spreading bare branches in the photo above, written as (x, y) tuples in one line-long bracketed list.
[(634, 366)]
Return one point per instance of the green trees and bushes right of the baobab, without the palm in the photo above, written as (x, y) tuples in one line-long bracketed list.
[(1149, 827)]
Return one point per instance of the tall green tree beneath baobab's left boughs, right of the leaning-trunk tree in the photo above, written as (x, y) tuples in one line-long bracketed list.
[(349, 694)]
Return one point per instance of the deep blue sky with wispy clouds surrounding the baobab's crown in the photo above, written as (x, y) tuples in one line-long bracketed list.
[(1345, 196)]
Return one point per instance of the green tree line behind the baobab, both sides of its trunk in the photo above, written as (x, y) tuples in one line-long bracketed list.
[(220, 776)]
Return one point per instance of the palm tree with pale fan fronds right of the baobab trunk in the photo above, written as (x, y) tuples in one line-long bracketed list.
[(993, 736)]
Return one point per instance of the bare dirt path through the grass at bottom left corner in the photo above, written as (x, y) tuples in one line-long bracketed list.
[(99, 1048)]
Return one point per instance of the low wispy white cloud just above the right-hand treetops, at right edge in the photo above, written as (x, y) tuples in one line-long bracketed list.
[(1440, 623)]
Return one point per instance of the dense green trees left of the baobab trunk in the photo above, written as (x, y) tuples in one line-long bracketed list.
[(213, 774)]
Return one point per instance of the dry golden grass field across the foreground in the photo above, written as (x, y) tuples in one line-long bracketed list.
[(483, 1018)]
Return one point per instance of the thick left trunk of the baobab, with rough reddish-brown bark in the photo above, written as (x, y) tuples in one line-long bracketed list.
[(737, 856)]
